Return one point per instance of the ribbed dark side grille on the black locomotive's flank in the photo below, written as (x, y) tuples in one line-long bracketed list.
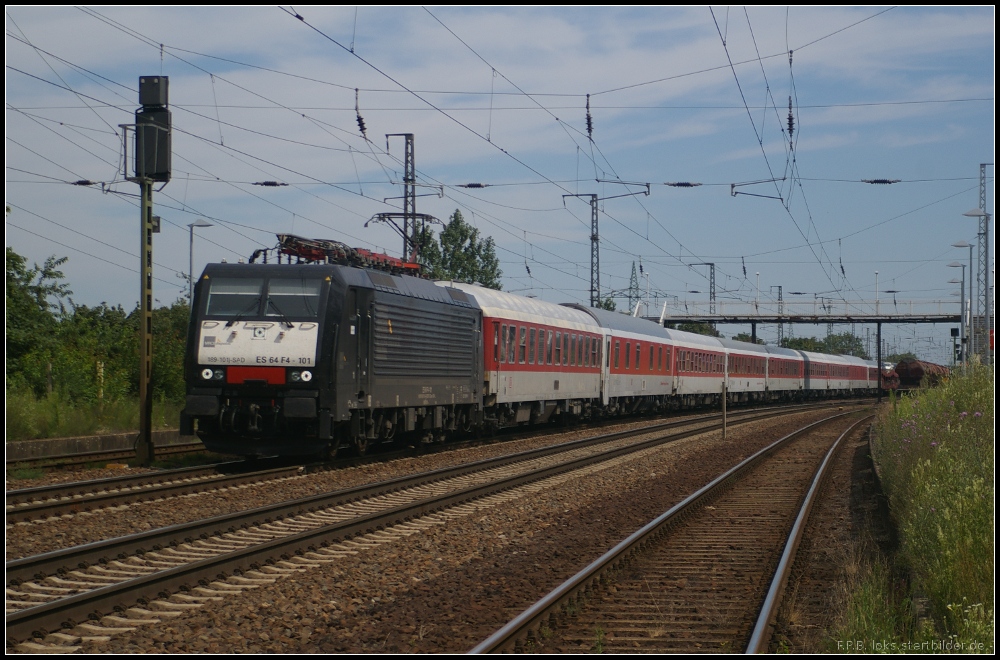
[(413, 342)]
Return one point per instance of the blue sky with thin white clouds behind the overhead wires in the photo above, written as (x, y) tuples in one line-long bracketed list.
[(498, 96)]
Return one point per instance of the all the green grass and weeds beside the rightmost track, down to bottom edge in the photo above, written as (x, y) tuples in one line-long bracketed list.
[(935, 454)]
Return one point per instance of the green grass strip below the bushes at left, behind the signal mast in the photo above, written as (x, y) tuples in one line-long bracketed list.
[(57, 416)]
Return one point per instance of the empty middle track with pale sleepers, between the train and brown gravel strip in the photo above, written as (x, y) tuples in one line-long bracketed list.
[(64, 589)]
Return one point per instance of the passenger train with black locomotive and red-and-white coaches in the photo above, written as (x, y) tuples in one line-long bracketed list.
[(348, 349)]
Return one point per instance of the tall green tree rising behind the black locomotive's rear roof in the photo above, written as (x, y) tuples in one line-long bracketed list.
[(460, 255)]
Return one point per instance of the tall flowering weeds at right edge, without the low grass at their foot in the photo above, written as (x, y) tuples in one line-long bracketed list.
[(935, 453)]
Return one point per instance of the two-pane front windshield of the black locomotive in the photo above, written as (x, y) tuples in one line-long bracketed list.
[(244, 297)]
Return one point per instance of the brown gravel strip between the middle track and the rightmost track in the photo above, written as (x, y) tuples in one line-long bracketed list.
[(449, 585)]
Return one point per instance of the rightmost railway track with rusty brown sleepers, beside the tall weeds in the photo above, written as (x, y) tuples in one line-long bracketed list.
[(705, 576)]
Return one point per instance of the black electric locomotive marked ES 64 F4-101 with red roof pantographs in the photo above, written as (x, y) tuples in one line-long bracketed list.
[(299, 359)]
